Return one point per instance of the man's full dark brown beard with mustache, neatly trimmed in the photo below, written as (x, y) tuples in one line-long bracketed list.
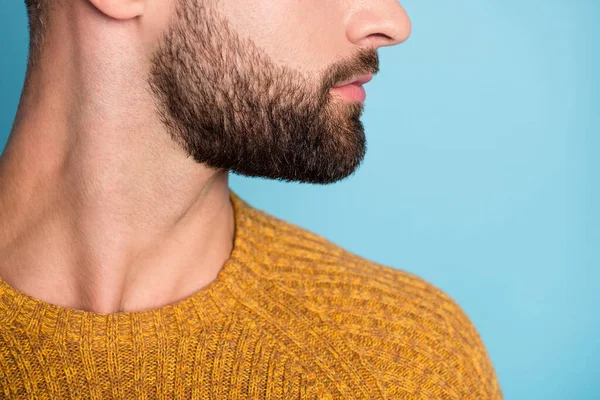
[(229, 106)]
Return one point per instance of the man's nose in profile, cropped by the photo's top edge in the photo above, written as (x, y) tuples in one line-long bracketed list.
[(386, 24)]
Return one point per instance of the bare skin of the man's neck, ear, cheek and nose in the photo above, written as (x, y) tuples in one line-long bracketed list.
[(100, 209)]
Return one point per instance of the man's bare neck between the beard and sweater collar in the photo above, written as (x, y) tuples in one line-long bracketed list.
[(99, 209)]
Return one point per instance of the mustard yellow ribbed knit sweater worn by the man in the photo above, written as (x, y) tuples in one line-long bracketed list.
[(290, 316)]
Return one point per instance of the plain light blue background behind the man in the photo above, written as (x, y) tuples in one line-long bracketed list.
[(480, 176)]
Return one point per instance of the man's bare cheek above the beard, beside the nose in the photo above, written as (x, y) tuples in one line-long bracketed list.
[(306, 35)]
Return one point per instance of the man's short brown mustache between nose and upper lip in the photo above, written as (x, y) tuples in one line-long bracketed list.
[(364, 61)]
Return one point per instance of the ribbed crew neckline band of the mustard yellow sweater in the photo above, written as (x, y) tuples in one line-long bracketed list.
[(36, 316)]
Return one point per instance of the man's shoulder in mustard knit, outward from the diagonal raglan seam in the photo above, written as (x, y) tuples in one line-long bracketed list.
[(414, 337)]
